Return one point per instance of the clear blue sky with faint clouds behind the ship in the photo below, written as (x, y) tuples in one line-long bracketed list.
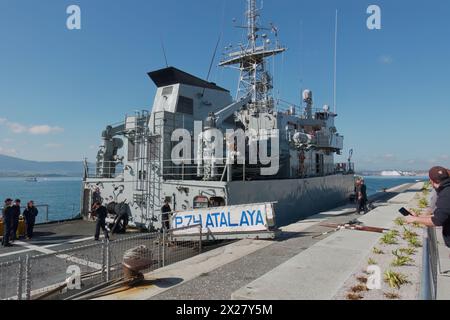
[(60, 88)]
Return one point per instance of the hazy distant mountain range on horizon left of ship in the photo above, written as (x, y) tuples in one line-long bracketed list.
[(15, 167)]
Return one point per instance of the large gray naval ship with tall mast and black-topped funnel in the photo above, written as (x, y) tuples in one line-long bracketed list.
[(136, 172)]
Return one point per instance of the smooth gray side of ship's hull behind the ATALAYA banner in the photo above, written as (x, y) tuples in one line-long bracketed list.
[(295, 199)]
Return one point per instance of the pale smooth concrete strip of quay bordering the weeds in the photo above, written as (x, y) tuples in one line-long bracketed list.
[(321, 271)]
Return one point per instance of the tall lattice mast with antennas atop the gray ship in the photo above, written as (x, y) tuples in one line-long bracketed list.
[(250, 59)]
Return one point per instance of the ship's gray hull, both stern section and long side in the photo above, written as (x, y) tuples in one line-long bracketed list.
[(295, 199)]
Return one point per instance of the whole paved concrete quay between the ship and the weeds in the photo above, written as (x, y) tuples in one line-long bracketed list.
[(308, 261)]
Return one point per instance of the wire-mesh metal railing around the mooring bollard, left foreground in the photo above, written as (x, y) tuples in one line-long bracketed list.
[(76, 272)]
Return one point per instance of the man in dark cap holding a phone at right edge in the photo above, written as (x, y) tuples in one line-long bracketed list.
[(440, 179)]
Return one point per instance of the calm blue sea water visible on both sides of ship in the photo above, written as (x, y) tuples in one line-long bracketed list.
[(62, 195)]
